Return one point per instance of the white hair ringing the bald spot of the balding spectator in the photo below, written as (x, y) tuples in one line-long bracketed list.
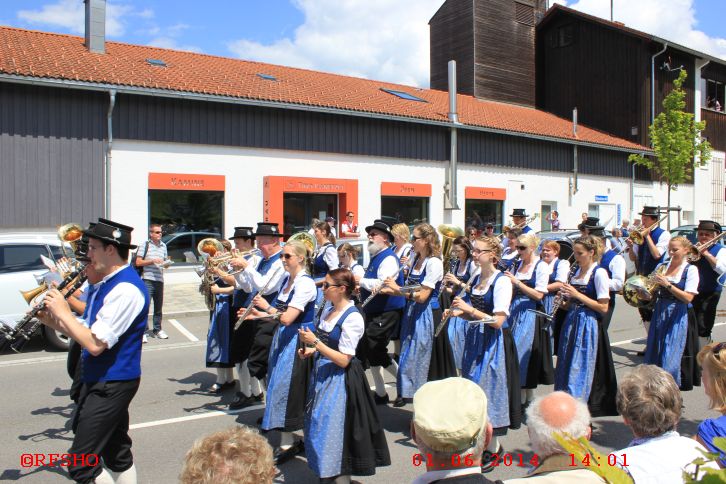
[(541, 433)]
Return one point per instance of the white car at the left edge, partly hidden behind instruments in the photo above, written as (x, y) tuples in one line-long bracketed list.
[(20, 263)]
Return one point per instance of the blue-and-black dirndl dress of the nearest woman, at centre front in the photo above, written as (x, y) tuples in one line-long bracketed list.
[(343, 434)]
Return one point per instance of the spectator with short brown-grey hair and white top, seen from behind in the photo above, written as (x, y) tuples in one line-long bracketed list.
[(650, 402)]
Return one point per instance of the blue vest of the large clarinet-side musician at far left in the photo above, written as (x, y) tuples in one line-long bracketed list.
[(123, 361)]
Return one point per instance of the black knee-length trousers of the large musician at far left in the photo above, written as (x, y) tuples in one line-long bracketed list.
[(101, 427)]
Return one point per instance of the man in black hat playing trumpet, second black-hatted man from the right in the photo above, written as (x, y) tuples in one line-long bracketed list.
[(650, 253)]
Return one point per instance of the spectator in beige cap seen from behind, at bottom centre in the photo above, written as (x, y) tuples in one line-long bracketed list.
[(451, 438)]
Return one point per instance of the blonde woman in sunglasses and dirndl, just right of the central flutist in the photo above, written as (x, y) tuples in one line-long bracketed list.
[(529, 277)]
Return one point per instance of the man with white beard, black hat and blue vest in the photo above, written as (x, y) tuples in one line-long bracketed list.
[(382, 313)]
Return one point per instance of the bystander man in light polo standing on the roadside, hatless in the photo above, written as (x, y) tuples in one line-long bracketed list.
[(151, 259)]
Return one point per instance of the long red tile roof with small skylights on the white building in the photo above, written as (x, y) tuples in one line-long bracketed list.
[(57, 56)]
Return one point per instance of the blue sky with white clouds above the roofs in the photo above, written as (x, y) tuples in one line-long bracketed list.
[(379, 39)]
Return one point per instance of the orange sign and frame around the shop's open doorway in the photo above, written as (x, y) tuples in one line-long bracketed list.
[(274, 188)]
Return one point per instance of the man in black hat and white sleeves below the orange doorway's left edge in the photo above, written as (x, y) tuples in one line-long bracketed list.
[(264, 278)]
